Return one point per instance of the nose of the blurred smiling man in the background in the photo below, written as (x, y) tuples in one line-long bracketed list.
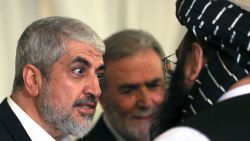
[(144, 100)]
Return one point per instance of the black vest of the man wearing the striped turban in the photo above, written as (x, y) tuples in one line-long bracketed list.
[(226, 121)]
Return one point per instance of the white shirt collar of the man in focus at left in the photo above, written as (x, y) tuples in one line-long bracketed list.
[(35, 132)]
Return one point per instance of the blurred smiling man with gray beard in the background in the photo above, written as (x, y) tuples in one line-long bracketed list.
[(133, 87)]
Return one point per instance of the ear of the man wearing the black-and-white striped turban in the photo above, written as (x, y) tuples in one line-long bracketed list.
[(196, 61)]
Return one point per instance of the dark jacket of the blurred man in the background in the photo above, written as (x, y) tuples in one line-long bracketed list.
[(99, 133)]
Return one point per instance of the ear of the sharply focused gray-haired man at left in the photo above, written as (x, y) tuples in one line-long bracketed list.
[(32, 79)]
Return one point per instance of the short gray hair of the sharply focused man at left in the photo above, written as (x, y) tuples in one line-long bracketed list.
[(44, 42)]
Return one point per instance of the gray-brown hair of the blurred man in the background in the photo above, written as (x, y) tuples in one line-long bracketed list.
[(129, 42)]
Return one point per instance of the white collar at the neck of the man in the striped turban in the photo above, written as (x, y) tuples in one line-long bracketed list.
[(238, 91)]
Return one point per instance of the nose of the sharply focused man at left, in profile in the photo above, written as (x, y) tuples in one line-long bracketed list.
[(93, 86)]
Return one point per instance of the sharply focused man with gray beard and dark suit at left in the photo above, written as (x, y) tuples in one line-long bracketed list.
[(58, 66)]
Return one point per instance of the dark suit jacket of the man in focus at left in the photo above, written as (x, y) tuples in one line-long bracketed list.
[(10, 127)]
